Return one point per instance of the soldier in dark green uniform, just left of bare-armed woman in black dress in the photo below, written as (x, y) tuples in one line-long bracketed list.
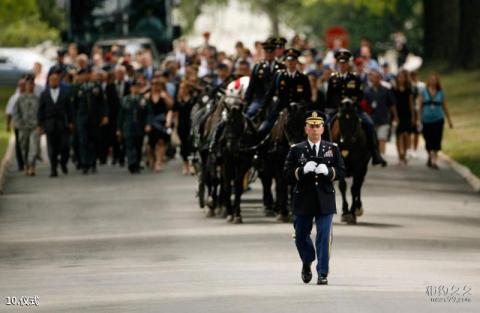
[(133, 121)]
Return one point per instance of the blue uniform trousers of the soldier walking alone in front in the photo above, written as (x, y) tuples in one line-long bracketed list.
[(323, 241)]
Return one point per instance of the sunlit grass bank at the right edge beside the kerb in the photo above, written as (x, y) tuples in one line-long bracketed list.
[(462, 143)]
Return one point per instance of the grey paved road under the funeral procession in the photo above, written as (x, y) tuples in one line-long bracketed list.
[(113, 242)]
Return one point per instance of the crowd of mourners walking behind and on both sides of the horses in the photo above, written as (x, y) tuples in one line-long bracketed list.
[(88, 108)]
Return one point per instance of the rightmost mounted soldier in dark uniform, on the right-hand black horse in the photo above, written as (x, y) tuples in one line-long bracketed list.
[(346, 84)]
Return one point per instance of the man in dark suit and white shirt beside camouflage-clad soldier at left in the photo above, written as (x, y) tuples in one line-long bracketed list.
[(55, 119)]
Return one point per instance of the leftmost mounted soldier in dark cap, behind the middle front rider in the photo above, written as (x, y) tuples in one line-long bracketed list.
[(261, 79)]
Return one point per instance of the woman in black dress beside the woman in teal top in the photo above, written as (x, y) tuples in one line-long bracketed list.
[(406, 114)]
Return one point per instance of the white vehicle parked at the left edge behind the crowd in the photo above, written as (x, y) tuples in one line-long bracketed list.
[(15, 62)]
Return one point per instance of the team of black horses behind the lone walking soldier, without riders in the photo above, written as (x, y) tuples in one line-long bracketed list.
[(228, 151)]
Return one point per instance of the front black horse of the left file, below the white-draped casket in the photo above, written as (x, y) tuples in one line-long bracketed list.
[(233, 142)]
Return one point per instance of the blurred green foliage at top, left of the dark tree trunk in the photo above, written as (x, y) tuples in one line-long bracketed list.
[(376, 20)]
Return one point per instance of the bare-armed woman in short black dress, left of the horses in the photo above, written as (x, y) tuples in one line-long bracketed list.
[(161, 104)]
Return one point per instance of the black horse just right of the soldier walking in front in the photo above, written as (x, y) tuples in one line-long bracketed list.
[(348, 133)]
